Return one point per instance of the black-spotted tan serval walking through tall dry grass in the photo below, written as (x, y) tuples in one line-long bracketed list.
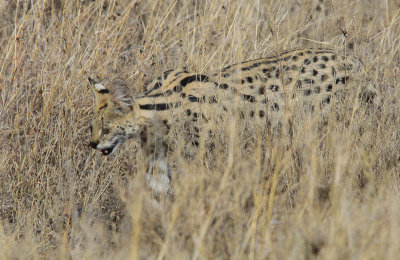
[(267, 87)]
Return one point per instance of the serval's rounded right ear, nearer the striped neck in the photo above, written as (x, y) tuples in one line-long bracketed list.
[(121, 94)]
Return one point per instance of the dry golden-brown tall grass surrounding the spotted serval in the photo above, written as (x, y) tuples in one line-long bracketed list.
[(329, 195)]
